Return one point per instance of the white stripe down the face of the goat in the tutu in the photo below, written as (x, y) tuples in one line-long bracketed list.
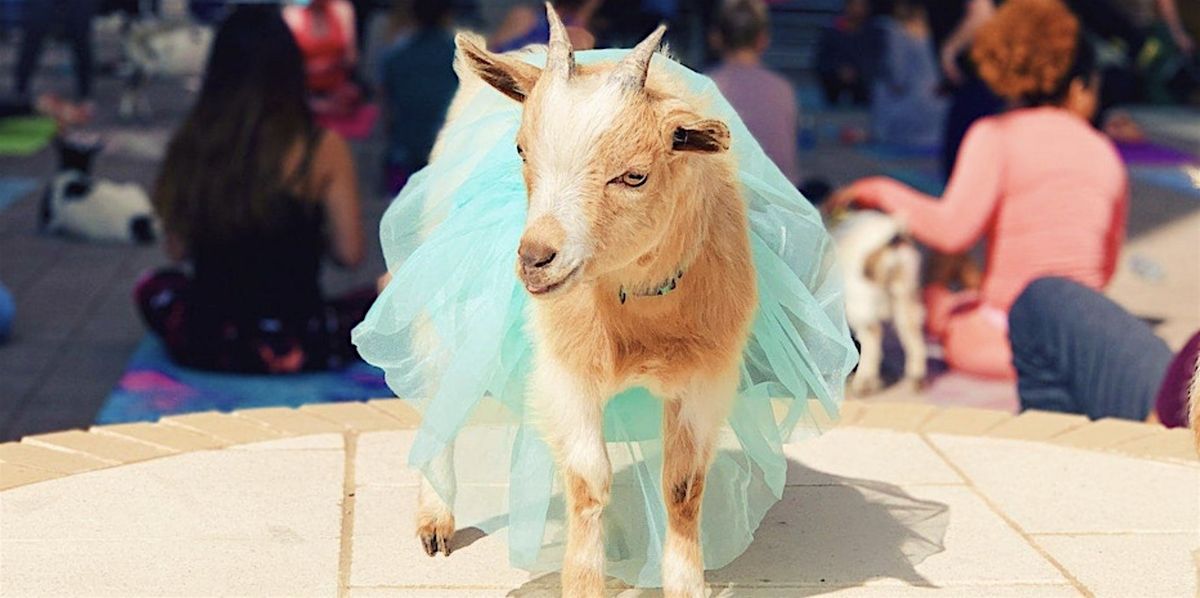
[(573, 117)]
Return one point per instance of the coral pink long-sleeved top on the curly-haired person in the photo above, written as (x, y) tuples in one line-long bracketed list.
[(1048, 192)]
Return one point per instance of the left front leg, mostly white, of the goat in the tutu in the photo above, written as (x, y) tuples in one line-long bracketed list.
[(571, 412)]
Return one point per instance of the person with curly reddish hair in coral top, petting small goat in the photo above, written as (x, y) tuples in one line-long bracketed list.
[(1046, 189)]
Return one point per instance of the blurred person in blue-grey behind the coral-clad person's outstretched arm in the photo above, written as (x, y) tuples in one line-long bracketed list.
[(907, 106)]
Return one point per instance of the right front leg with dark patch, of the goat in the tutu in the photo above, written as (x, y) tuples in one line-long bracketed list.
[(691, 426)]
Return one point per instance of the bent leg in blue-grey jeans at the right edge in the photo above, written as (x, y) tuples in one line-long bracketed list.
[(1078, 352)]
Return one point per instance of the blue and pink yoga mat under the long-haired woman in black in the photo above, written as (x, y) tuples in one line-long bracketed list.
[(153, 386)]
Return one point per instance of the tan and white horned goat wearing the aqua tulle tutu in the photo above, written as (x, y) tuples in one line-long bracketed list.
[(637, 256)]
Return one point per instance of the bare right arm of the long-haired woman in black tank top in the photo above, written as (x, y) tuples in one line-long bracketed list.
[(340, 199)]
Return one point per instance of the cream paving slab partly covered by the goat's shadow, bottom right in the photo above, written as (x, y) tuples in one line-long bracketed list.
[(883, 535)]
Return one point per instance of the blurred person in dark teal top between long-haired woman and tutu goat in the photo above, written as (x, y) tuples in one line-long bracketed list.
[(418, 82)]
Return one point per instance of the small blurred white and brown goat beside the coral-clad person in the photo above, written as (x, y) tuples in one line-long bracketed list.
[(881, 272)]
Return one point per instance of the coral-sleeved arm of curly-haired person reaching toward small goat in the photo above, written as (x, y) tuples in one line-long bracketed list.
[(958, 220)]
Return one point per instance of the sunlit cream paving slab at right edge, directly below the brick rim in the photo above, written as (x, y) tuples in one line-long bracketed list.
[(1053, 489)]
